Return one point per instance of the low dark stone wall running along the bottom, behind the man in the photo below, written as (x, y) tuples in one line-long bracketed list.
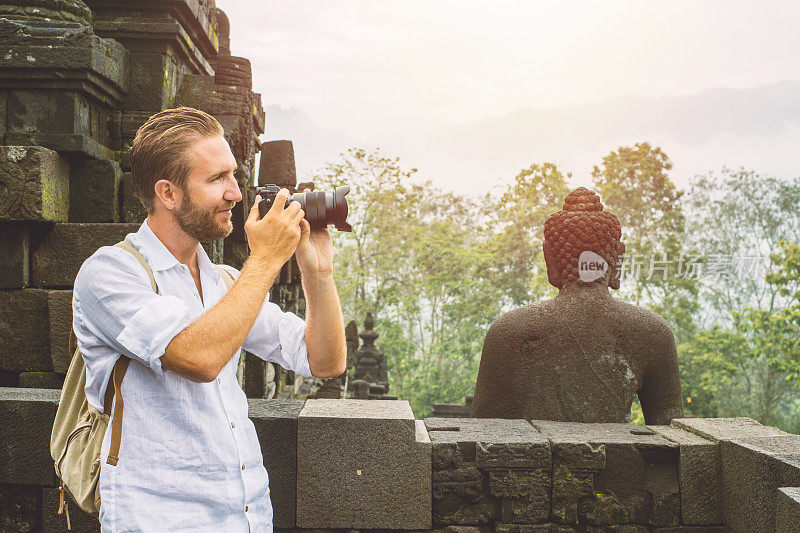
[(345, 465)]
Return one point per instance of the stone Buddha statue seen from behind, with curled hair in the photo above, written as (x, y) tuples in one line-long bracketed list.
[(583, 355)]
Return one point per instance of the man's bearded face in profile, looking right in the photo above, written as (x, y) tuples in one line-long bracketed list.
[(211, 191)]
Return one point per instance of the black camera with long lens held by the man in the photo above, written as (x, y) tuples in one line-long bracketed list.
[(321, 208)]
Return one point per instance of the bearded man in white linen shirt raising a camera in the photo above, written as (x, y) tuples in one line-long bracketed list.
[(190, 459)]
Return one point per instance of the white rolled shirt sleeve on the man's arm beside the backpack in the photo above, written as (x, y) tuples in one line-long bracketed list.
[(114, 303)]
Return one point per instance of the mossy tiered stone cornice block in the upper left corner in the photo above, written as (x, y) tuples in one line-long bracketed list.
[(61, 84)]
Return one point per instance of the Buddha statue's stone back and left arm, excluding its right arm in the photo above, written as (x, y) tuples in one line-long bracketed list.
[(577, 359)]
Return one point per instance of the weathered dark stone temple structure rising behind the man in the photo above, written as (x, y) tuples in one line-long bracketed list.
[(77, 79)]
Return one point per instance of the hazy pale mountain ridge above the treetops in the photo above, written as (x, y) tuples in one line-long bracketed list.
[(757, 127)]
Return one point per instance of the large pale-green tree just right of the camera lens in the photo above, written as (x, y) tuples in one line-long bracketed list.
[(416, 258)]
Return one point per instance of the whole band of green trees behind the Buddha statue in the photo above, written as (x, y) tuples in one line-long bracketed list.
[(437, 268)]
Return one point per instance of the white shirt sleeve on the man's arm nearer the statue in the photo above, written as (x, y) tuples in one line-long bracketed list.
[(278, 336)]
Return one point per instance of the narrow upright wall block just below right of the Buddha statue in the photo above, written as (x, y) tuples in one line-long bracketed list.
[(699, 474)]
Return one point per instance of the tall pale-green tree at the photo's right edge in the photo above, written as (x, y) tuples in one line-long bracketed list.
[(746, 360)]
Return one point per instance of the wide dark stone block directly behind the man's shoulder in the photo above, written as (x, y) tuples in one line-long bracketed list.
[(57, 259)]
